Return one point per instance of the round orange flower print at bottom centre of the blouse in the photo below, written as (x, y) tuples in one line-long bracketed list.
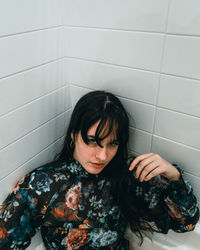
[(76, 238)]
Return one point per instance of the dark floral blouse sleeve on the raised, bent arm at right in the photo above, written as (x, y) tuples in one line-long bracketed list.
[(169, 204)]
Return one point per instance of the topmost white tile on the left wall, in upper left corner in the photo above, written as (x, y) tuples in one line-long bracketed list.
[(22, 16)]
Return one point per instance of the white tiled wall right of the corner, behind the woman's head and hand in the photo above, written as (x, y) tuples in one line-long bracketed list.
[(147, 52)]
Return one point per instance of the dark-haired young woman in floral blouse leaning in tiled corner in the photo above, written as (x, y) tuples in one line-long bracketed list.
[(88, 195)]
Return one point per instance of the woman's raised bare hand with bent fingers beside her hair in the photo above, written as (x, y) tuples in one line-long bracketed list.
[(149, 165)]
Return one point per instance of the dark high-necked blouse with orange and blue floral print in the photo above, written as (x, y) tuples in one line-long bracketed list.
[(75, 209)]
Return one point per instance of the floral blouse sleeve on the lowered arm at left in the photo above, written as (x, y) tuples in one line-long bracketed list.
[(22, 212)]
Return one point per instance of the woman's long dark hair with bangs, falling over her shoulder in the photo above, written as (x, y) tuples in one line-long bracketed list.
[(105, 107)]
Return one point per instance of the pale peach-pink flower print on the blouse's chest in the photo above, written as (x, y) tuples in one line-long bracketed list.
[(73, 197)]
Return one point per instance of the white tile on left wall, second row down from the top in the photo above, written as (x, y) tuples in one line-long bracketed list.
[(27, 50)]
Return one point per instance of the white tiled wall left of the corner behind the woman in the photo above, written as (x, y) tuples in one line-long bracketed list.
[(34, 95)]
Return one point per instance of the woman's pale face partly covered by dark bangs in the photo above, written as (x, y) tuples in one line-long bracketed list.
[(91, 156)]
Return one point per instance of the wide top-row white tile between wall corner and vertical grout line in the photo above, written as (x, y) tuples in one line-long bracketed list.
[(117, 14)]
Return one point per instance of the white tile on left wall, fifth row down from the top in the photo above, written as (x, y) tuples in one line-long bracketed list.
[(25, 148)]
